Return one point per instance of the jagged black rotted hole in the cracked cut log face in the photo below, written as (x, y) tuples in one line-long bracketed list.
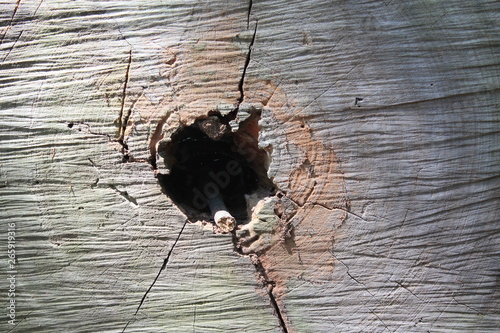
[(203, 169)]
